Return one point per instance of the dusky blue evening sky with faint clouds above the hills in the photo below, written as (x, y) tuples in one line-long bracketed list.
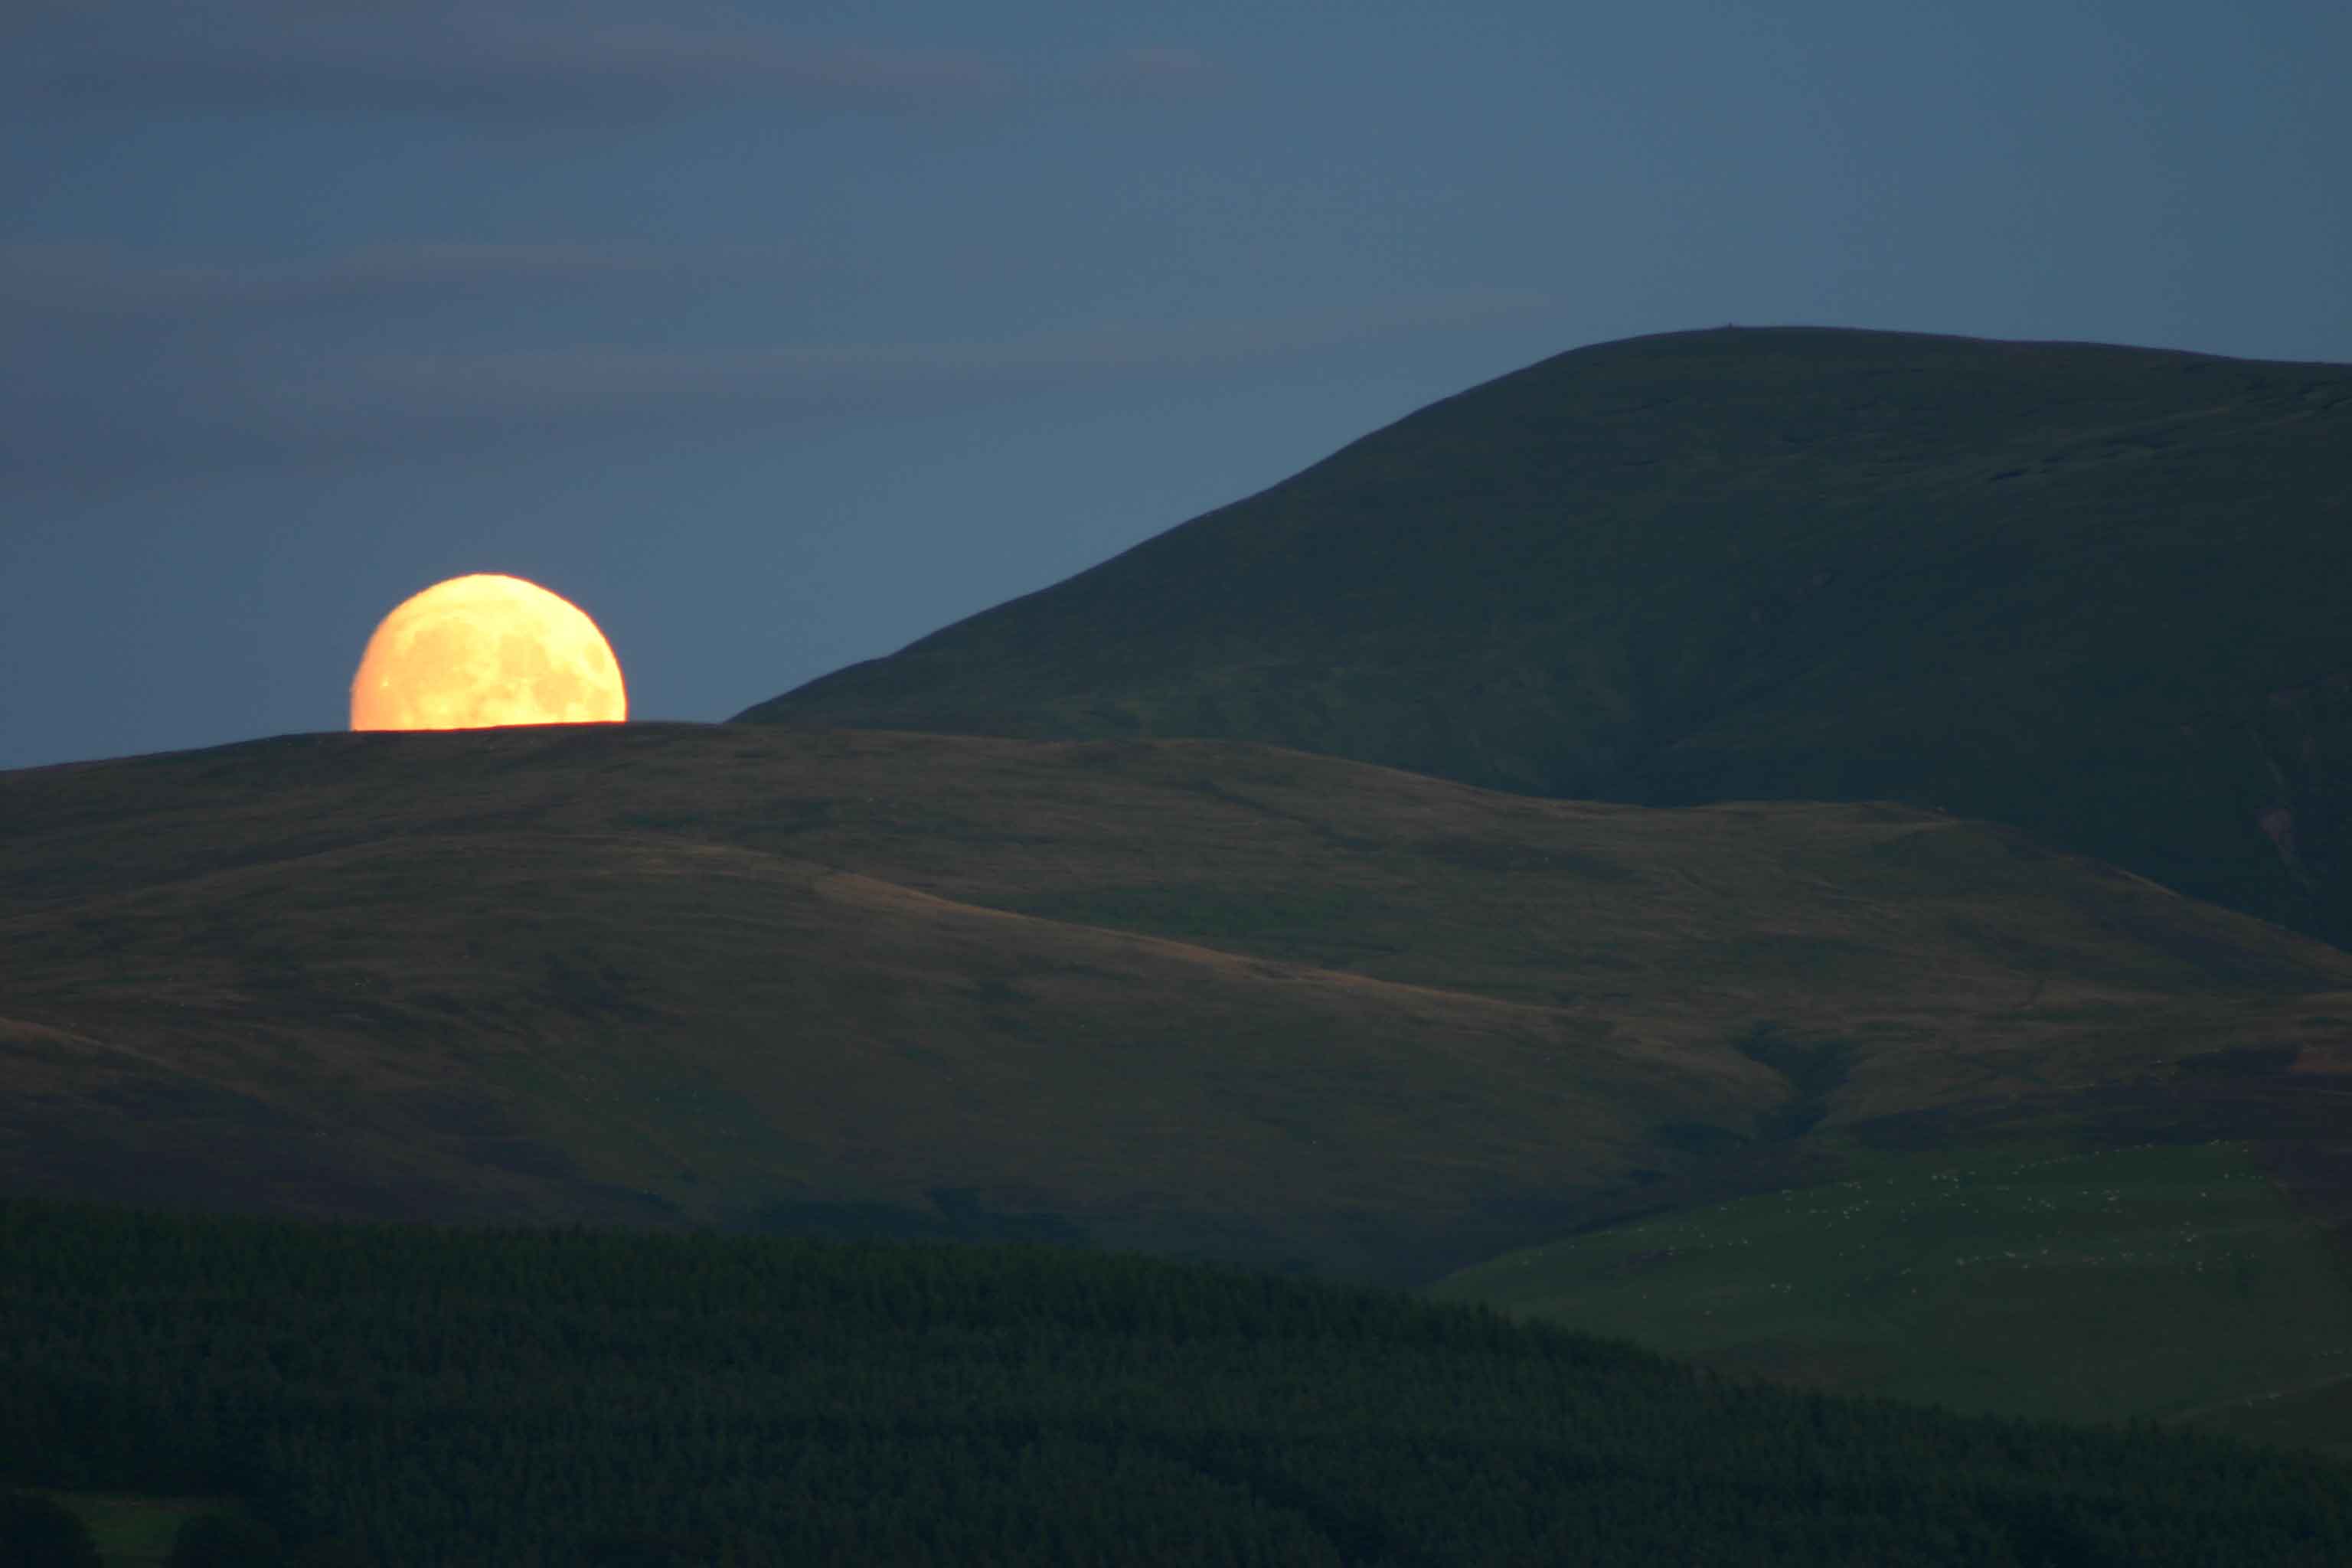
[(780, 337)]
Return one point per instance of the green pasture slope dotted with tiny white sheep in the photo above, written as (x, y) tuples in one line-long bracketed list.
[(2156, 1282)]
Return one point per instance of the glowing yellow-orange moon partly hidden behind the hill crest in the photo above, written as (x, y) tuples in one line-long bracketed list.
[(486, 650)]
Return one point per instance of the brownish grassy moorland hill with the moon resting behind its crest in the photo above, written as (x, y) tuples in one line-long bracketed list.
[(1194, 998)]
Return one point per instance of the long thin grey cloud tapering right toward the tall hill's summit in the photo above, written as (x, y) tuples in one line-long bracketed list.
[(135, 410)]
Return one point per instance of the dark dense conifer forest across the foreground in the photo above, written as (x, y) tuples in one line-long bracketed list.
[(427, 1398)]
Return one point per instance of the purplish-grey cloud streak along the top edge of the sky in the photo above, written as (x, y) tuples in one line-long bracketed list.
[(523, 67)]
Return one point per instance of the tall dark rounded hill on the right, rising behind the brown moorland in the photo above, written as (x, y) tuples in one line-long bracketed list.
[(2090, 591)]
